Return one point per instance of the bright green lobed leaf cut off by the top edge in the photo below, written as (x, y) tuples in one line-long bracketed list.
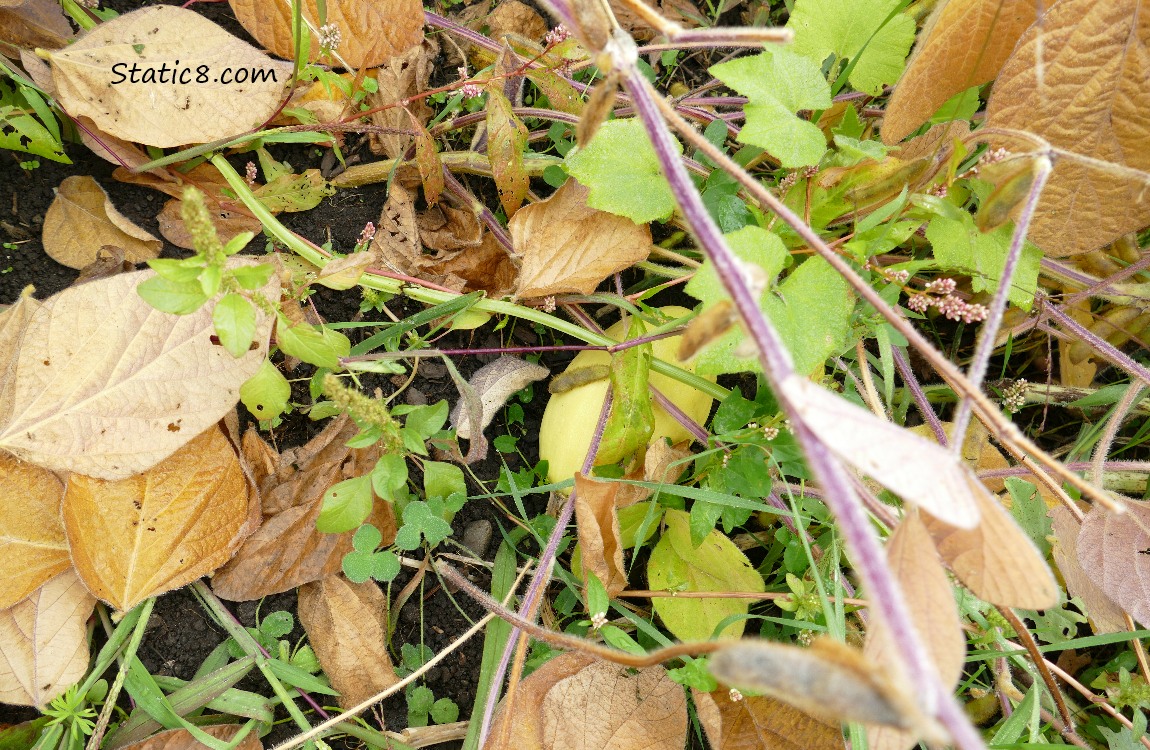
[(844, 28)]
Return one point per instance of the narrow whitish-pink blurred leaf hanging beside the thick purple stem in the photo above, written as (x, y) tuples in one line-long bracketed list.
[(918, 471)]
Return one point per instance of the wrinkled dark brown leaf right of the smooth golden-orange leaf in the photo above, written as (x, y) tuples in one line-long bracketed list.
[(287, 550)]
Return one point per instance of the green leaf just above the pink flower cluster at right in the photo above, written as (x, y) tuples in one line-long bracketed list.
[(959, 246)]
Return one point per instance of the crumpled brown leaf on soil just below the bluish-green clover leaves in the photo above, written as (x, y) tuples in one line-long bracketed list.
[(347, 624)]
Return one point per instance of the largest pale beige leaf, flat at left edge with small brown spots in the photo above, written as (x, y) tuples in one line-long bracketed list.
[(106, 386)]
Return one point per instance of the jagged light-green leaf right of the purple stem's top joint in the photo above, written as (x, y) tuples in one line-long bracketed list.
[(778, 85)]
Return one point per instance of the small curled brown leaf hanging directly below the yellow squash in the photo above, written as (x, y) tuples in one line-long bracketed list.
[(599, 533)]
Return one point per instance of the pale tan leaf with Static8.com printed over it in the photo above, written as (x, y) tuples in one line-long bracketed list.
[(93, 79)]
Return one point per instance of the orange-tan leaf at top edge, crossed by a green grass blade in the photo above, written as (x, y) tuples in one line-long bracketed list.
[(370, 30)]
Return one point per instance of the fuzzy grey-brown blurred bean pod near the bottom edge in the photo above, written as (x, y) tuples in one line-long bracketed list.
[(830, 680)]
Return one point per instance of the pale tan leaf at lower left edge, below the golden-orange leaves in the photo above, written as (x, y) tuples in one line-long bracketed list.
[(44, 642)]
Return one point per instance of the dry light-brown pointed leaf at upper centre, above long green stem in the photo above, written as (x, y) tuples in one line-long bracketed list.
[(568, 247)]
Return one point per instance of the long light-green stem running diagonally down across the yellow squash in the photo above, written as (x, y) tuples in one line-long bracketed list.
[(318, 258)]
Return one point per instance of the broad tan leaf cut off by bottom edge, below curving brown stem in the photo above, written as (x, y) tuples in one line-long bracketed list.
[(574, 702)]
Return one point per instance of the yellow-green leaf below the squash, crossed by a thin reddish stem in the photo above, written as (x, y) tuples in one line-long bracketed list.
[(717, 565)]
